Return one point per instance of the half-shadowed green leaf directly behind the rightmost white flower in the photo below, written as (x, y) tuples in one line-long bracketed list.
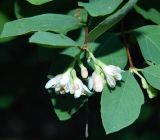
[(110, 50)]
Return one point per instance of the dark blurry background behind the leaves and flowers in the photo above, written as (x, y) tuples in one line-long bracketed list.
[(26, 112)]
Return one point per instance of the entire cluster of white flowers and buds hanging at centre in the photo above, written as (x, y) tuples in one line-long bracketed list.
[(68, 82)]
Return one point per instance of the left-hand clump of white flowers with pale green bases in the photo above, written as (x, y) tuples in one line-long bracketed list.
[(68, 82)]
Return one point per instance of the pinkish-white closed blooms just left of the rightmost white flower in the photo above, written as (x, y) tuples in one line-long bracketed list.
[(96, 82)]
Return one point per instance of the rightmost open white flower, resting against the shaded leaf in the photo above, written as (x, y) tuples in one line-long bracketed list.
[(112, 74)]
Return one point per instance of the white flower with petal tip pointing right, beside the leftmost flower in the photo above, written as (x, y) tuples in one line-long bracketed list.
[(78, 88)]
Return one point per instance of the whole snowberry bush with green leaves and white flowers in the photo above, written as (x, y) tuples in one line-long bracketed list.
[(101, 60)]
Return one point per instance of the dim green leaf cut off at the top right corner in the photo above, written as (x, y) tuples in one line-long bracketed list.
[(151, 14)]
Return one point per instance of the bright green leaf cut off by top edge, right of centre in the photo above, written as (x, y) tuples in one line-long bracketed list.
[(100, 7)]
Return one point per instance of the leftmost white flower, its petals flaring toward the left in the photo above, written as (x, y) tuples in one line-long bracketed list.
[(60, 83)]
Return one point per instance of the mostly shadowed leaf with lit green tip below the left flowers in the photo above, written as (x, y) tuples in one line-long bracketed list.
[(66, 106)]
